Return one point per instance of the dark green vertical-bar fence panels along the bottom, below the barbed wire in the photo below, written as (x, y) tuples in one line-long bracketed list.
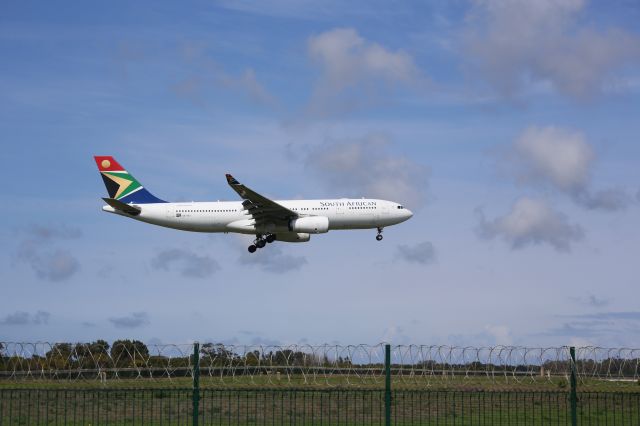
[(311, 407)]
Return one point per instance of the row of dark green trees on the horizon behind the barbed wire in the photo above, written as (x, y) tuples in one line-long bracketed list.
[(134, 354)]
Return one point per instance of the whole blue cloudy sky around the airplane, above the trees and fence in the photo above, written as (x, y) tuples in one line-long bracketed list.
[(510, 128)]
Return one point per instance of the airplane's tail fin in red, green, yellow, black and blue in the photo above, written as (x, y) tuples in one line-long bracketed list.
[(121, 185)]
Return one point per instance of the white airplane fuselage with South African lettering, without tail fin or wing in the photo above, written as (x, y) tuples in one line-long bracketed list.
[(230, 216)]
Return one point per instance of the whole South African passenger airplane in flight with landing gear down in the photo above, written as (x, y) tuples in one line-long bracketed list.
[(291, 221)]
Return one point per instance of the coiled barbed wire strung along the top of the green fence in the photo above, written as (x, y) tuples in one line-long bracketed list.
[(316, 365)]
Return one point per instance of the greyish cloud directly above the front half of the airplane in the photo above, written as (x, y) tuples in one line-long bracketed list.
[(365, 167)]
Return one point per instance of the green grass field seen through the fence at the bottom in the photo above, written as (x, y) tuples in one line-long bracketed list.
[(301, 400)]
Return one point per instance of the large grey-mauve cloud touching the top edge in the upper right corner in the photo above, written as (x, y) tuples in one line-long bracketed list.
[(518, 42)]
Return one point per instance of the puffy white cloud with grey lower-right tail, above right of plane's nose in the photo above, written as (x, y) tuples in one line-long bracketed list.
[(563, 159)]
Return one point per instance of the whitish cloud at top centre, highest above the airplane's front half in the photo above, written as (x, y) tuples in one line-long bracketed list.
[(354, 70)]
